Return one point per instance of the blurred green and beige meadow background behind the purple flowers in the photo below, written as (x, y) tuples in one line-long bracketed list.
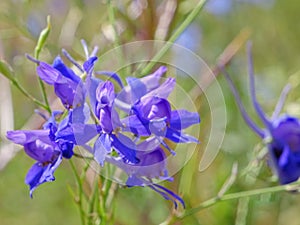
[(273, 26)]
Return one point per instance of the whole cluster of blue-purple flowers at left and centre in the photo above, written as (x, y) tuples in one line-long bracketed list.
[(127, 128)]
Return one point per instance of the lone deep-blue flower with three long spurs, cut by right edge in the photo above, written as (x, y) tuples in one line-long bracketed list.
[(281, 132)]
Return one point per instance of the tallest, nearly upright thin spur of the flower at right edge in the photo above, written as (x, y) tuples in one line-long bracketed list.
[(257, 107)]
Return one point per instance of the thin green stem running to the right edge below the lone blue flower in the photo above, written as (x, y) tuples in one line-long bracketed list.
[(243, 194)]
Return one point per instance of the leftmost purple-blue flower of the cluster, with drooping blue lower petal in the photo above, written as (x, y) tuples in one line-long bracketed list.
[(45, 146)]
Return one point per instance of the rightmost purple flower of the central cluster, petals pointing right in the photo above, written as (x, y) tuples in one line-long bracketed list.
[(151, 113)]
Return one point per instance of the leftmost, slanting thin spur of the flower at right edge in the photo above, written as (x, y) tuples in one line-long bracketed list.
[(241, 107)]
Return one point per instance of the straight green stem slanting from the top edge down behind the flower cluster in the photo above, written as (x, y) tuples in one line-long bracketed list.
[(189, 19)]
